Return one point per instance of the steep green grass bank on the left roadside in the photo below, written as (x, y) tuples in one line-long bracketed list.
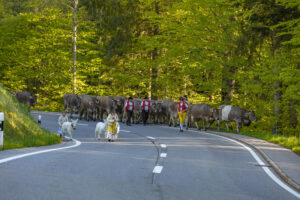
[(20, 128)]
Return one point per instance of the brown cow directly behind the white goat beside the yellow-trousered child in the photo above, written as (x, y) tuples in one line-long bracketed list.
[(105, 104)]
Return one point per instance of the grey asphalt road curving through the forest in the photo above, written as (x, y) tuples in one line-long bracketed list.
[(194, 165)]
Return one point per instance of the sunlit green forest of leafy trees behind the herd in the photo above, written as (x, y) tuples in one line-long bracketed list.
[(239, 52)]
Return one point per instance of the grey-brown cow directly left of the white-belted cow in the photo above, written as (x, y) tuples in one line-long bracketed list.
[(202, 111)]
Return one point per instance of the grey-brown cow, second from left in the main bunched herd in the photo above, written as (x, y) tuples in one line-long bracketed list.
[(88, 107)]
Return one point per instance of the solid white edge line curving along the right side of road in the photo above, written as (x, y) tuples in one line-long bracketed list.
[(260, 162)]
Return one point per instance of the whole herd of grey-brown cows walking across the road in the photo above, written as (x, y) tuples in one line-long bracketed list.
[(162, 111)]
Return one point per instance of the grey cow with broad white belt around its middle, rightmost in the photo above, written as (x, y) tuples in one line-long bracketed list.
[(239, 115)]
